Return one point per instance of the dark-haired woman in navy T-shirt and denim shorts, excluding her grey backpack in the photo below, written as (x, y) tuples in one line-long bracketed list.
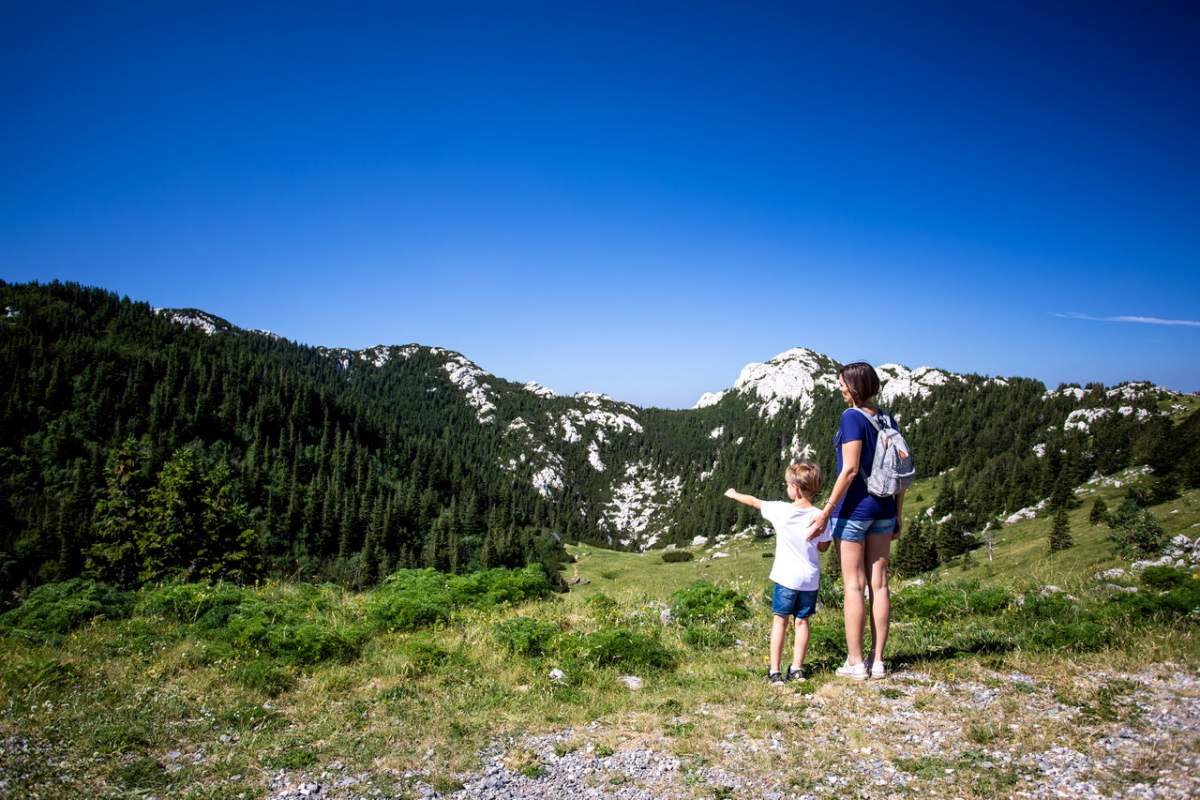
[(862, 525)]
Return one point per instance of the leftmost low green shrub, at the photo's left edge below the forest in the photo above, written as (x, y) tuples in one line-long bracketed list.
[(62, 607)]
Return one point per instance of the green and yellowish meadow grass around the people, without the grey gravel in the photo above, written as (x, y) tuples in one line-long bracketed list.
[(161, 699)]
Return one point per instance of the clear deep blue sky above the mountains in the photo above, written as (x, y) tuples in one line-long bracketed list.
[(633, 201)]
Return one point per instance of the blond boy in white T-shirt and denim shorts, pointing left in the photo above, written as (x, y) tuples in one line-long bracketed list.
[(796, 570)]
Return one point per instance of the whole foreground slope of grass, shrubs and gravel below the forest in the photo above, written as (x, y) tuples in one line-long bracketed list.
[(1013, 691)]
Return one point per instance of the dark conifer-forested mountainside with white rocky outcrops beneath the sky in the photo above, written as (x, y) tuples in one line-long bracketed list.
[(124, 426)]
